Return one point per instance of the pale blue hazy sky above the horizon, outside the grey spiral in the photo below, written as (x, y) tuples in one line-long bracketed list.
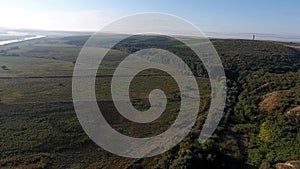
[(223, 16)]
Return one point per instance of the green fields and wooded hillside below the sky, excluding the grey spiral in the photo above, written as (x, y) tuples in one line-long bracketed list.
[(40, 128)]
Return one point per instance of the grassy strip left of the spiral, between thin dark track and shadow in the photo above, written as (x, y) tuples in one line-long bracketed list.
[(41, 90)]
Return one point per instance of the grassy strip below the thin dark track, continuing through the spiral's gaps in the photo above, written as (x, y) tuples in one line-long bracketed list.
[(47, 90)]
